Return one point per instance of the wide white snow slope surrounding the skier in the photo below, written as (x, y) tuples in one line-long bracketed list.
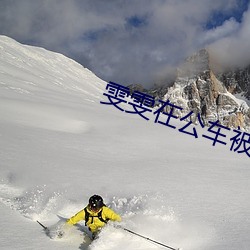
[(59, 145)]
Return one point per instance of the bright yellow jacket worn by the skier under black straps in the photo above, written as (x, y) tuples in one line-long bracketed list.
[(94, 223)]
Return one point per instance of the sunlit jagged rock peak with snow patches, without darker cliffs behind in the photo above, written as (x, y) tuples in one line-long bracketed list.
[(197, 89)]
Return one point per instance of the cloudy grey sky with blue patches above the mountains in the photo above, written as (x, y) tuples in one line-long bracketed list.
[(131, 41)]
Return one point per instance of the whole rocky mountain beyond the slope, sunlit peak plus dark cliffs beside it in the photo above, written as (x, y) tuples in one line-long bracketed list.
[(198, 87)]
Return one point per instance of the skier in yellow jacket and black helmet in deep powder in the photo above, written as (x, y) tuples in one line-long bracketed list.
[(95, 214)]
